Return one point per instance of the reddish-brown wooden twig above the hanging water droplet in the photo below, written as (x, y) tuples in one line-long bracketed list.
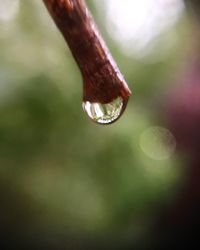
[(102, 79)]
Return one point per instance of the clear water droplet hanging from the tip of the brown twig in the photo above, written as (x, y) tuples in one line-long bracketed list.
[(105, 113)]
